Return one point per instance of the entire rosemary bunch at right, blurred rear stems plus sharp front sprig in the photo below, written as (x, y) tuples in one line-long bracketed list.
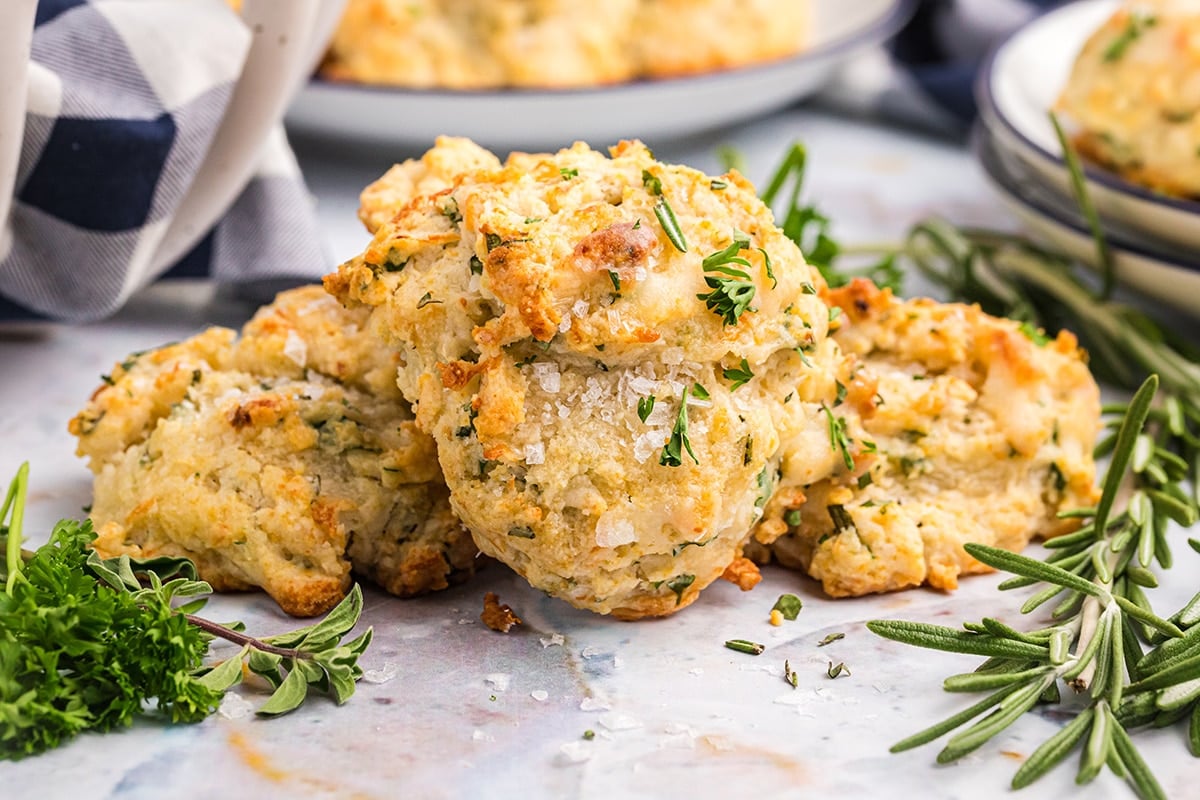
[(1103, 641)]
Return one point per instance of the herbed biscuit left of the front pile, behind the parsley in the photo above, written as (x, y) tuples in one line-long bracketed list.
[(280, 461)]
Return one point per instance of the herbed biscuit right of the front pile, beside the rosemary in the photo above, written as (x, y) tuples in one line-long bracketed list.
[(977, 435)]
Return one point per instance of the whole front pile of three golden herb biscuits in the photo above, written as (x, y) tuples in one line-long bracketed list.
[(613, 375)]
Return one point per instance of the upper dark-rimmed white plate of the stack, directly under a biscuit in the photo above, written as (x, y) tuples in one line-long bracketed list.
[(1017, 88)]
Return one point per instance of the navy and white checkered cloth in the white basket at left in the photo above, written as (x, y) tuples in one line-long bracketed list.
[(124, 100)]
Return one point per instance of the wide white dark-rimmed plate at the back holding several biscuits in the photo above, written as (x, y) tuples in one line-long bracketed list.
[(646, 110)]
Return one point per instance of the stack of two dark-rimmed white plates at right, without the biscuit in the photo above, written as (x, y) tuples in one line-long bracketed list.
[(1155, 239)]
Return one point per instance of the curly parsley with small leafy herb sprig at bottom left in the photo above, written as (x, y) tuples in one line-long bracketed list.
[(91, 643)]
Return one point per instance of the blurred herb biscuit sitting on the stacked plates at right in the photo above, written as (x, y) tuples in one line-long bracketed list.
[(1135, 97)]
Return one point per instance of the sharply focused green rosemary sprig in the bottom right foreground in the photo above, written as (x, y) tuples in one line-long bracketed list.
[(1095, 641)]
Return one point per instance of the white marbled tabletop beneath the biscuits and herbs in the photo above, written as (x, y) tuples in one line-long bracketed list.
[(469, 713)]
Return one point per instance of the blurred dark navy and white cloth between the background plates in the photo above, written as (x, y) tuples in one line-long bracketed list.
[(926, 77)]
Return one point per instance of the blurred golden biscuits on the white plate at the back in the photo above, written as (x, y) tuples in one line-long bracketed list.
[(556, 44)]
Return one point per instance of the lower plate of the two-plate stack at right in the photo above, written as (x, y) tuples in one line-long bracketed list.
[(1054, 219)]
